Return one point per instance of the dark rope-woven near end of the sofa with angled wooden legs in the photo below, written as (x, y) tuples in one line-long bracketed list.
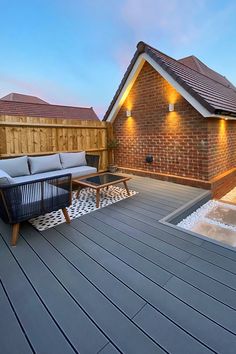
[(23, 201)]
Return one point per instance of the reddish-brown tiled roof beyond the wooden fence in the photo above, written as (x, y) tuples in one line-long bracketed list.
[(43, 109)]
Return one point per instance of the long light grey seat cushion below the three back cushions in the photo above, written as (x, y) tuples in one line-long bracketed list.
[(75, 171)]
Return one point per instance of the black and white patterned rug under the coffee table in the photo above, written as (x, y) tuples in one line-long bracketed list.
[(86, 203)]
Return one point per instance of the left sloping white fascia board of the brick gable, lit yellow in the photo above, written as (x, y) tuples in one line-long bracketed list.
[(126, 88)]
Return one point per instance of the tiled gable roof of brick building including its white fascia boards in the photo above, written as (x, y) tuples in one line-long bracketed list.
[(198, 84)]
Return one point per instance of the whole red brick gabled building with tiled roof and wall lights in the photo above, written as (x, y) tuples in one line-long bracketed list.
[(181, 113)]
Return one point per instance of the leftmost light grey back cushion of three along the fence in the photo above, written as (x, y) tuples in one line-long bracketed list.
[(15, 167)]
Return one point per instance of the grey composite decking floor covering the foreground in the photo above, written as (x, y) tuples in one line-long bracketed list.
[(118, 280)]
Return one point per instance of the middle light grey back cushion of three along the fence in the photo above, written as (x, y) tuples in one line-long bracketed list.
[(41, 164)]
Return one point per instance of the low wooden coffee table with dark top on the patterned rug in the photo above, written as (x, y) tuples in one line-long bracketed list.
[(99, 181)]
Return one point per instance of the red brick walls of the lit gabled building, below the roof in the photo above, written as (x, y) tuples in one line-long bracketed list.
[(178, 140)]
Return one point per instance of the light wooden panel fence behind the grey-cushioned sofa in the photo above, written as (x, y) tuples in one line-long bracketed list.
[(41, 136)]
